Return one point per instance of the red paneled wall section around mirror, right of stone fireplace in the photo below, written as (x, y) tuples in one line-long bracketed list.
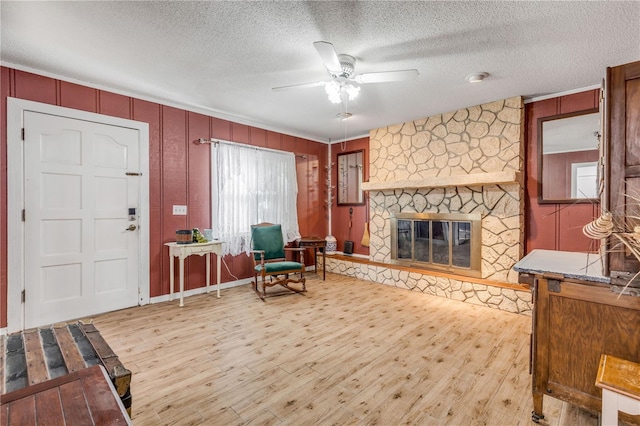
[(555, 226)]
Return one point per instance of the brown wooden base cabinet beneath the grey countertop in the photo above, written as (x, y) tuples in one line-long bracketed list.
[(574, 322)]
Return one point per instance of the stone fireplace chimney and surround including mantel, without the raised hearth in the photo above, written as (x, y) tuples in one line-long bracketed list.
[(467, 161)]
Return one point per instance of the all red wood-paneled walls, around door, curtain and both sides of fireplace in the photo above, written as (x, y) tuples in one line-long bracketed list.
[(180, 170)]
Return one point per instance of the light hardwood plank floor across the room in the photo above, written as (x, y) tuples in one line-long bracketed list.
[(348, 352)]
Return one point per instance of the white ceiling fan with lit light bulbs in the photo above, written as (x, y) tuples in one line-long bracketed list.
[(341, 68)]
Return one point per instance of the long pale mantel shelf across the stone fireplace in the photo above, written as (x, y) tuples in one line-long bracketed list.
[(473, 179)]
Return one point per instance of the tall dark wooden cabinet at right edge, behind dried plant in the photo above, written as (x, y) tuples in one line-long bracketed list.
[(622, 158)]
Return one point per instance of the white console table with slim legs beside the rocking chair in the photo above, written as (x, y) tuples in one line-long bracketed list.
[(182, 251)]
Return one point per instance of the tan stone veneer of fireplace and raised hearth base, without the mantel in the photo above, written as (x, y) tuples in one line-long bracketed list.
[(478, 140)]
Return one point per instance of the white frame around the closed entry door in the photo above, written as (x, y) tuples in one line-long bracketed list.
[(15, 199)]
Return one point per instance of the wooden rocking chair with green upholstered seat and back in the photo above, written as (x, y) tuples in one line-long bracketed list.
[(268, 252)]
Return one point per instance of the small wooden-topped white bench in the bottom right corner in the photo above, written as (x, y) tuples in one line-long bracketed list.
[(619, 380)]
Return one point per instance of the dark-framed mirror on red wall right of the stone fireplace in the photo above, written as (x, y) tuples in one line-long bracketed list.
[(568, 166)]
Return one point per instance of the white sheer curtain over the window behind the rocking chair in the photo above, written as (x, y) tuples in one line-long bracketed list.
[(252, 185)]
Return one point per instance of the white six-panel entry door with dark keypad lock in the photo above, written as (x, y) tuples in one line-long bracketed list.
[(81, 248)]
